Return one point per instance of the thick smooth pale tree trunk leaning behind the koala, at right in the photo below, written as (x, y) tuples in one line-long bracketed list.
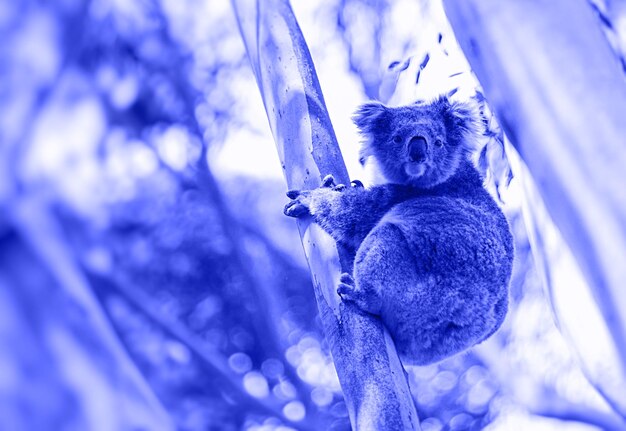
[(559, 92)]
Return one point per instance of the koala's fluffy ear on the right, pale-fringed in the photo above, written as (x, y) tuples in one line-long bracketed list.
[(463, 121)]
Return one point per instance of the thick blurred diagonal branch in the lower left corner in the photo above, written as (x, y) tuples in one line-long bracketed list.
[(113, 369)]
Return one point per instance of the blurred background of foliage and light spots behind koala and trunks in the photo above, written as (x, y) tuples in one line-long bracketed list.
[(148, 279)]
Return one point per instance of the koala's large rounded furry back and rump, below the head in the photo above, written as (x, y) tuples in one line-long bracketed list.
[(455, 251)]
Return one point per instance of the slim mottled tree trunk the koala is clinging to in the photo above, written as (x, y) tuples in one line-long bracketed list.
[(373, 381)]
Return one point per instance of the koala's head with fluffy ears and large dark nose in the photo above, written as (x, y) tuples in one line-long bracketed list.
[(420, 144)]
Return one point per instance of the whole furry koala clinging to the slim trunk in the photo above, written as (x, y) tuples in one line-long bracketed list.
[(432, 250)]
